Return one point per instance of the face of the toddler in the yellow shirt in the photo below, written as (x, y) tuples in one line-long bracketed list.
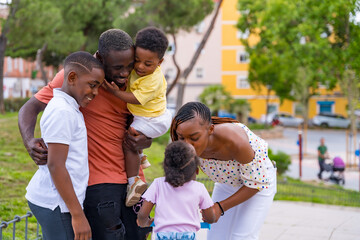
[(146, 61)]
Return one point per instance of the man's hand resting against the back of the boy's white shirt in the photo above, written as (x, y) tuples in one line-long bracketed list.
[(37, 150)]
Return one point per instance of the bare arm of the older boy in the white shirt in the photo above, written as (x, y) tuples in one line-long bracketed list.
[(61, 178)]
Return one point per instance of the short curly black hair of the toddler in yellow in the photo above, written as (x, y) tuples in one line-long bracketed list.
[(152, 39)]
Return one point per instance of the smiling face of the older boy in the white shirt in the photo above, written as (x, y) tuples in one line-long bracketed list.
[(86, 85)]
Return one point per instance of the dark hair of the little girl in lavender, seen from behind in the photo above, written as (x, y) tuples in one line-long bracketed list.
[(180, 163)]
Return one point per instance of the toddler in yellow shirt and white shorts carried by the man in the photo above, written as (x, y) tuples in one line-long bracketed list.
[(146, 98)]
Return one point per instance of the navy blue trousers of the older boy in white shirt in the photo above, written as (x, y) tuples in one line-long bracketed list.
[(54, 224)]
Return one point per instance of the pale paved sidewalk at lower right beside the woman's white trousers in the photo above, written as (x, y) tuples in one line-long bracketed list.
[(308, 221)]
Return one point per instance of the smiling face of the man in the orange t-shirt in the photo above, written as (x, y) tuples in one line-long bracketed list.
[(118, 66)]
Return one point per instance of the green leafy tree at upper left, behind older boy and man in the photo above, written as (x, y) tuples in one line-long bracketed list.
[(61, 27)]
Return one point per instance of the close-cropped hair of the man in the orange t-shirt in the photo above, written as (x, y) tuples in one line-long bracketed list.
[(114, 40)]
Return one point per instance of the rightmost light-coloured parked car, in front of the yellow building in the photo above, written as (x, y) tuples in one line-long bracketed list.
[(330, 120)]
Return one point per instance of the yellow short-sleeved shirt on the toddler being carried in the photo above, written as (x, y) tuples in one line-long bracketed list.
[(150, 91)]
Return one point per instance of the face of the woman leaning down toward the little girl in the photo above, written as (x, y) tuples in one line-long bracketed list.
[(195, 132)]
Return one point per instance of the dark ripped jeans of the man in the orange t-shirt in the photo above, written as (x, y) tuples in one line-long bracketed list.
[(109, 218)]
